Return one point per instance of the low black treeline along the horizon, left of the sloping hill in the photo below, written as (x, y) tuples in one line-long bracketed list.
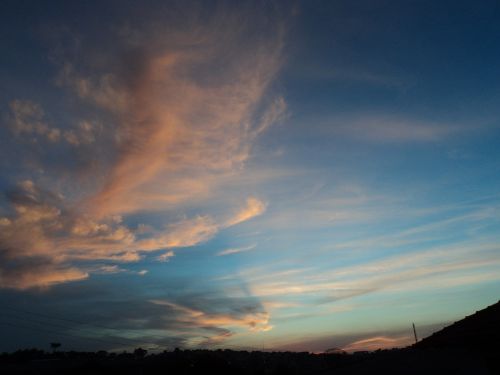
[(175, 362)]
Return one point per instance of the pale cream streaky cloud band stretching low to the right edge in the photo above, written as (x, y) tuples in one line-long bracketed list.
[(430, 268)]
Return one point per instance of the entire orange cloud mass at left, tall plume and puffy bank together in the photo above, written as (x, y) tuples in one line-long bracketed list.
[(177, 108)]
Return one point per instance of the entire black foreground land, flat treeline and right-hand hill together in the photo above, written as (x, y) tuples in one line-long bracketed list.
[(470, 346)]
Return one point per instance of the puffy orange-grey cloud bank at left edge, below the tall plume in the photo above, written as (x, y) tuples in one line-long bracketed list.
[(44, 229)]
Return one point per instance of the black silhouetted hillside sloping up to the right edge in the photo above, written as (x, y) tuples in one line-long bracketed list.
[(468, 346)]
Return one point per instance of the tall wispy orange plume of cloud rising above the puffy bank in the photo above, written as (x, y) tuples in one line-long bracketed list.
[(174, 130)]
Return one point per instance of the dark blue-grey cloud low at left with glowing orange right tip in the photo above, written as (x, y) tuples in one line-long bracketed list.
[(191, 320)]
